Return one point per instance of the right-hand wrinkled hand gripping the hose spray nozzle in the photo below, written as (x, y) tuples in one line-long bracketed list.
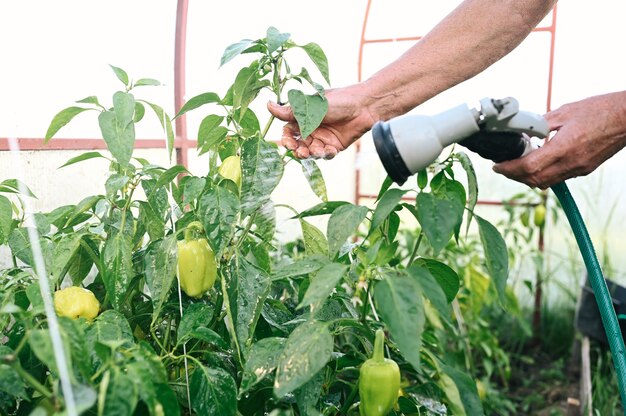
[(588, 132)]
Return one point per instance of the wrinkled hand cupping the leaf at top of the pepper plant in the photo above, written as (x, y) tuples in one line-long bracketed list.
[(347, 119)]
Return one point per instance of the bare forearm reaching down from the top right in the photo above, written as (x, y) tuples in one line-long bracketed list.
[(471, 38)]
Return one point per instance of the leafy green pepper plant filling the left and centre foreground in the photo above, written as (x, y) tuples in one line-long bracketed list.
[(269, 328)]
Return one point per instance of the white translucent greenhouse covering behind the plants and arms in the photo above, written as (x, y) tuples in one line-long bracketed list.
[(57, 52)]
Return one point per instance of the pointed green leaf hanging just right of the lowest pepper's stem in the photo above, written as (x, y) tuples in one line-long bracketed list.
[(399, 300)]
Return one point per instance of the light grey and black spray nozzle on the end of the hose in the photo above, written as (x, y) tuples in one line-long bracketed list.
[(498, 131)]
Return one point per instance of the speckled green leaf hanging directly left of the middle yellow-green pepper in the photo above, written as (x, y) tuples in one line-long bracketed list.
[(160, 271)]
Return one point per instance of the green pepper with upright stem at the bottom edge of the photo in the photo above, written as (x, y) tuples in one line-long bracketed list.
[(379, 381)]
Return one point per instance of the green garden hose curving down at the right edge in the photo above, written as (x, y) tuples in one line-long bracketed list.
[(598, 284)]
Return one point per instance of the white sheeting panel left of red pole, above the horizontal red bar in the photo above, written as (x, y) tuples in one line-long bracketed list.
[(55, 53)]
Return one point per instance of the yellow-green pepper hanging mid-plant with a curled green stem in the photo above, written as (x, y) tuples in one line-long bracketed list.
[(197, 269)]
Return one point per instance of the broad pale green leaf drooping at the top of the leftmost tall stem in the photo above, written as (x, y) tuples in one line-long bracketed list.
[(120, 138)]
